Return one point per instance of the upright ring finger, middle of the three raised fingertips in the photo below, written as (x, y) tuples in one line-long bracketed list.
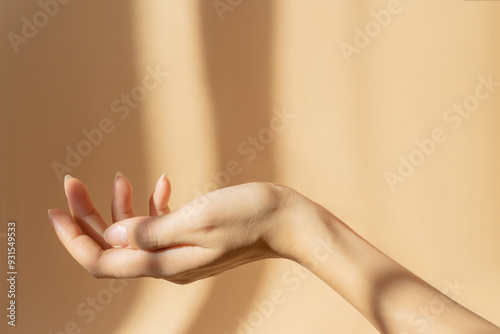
[(121, 205)]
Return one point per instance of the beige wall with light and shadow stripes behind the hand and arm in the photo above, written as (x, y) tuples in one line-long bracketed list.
[(226, 79)]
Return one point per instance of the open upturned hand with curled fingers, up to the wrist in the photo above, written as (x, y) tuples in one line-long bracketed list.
[(211, 234)]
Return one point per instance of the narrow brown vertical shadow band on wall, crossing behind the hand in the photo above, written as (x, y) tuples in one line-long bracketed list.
[(238, 60)]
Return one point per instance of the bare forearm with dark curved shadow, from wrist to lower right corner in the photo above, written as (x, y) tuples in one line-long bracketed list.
[(387, 294)]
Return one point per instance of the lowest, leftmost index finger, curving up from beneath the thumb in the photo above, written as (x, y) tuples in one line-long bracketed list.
[(113, 262)]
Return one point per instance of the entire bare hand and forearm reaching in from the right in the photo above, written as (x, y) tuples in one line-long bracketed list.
[(240, 224)]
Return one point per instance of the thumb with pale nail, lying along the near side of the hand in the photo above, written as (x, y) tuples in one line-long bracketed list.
[(150, 233)]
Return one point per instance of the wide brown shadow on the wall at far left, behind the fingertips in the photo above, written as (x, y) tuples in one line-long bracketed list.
[(61, 82)]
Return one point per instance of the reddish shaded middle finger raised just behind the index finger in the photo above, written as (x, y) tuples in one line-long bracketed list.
[(83, 211)]
